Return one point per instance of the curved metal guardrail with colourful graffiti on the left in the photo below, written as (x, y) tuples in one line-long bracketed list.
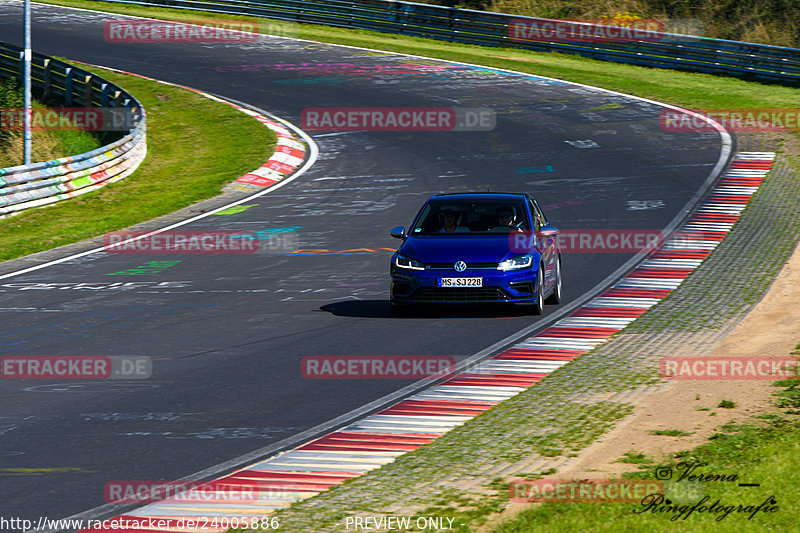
[(38, 184)]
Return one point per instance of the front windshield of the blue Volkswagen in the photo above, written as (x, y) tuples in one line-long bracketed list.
[(482, 217)]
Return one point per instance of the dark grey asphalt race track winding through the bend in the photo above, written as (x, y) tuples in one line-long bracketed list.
[(227, 333)]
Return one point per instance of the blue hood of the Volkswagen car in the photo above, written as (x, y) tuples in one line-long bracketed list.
[(442, 248)]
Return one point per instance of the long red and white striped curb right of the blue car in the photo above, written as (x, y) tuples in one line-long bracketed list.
[(378, 439)]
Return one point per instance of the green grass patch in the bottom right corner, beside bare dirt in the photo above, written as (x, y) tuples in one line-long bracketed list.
[(766, 455)]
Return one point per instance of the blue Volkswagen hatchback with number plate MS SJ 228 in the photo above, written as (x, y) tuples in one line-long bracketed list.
[(477, 247)]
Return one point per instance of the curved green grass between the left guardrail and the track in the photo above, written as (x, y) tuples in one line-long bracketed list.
[(191, 156)]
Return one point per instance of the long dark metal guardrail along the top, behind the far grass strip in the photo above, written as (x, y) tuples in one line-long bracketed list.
[(668, 50)]
